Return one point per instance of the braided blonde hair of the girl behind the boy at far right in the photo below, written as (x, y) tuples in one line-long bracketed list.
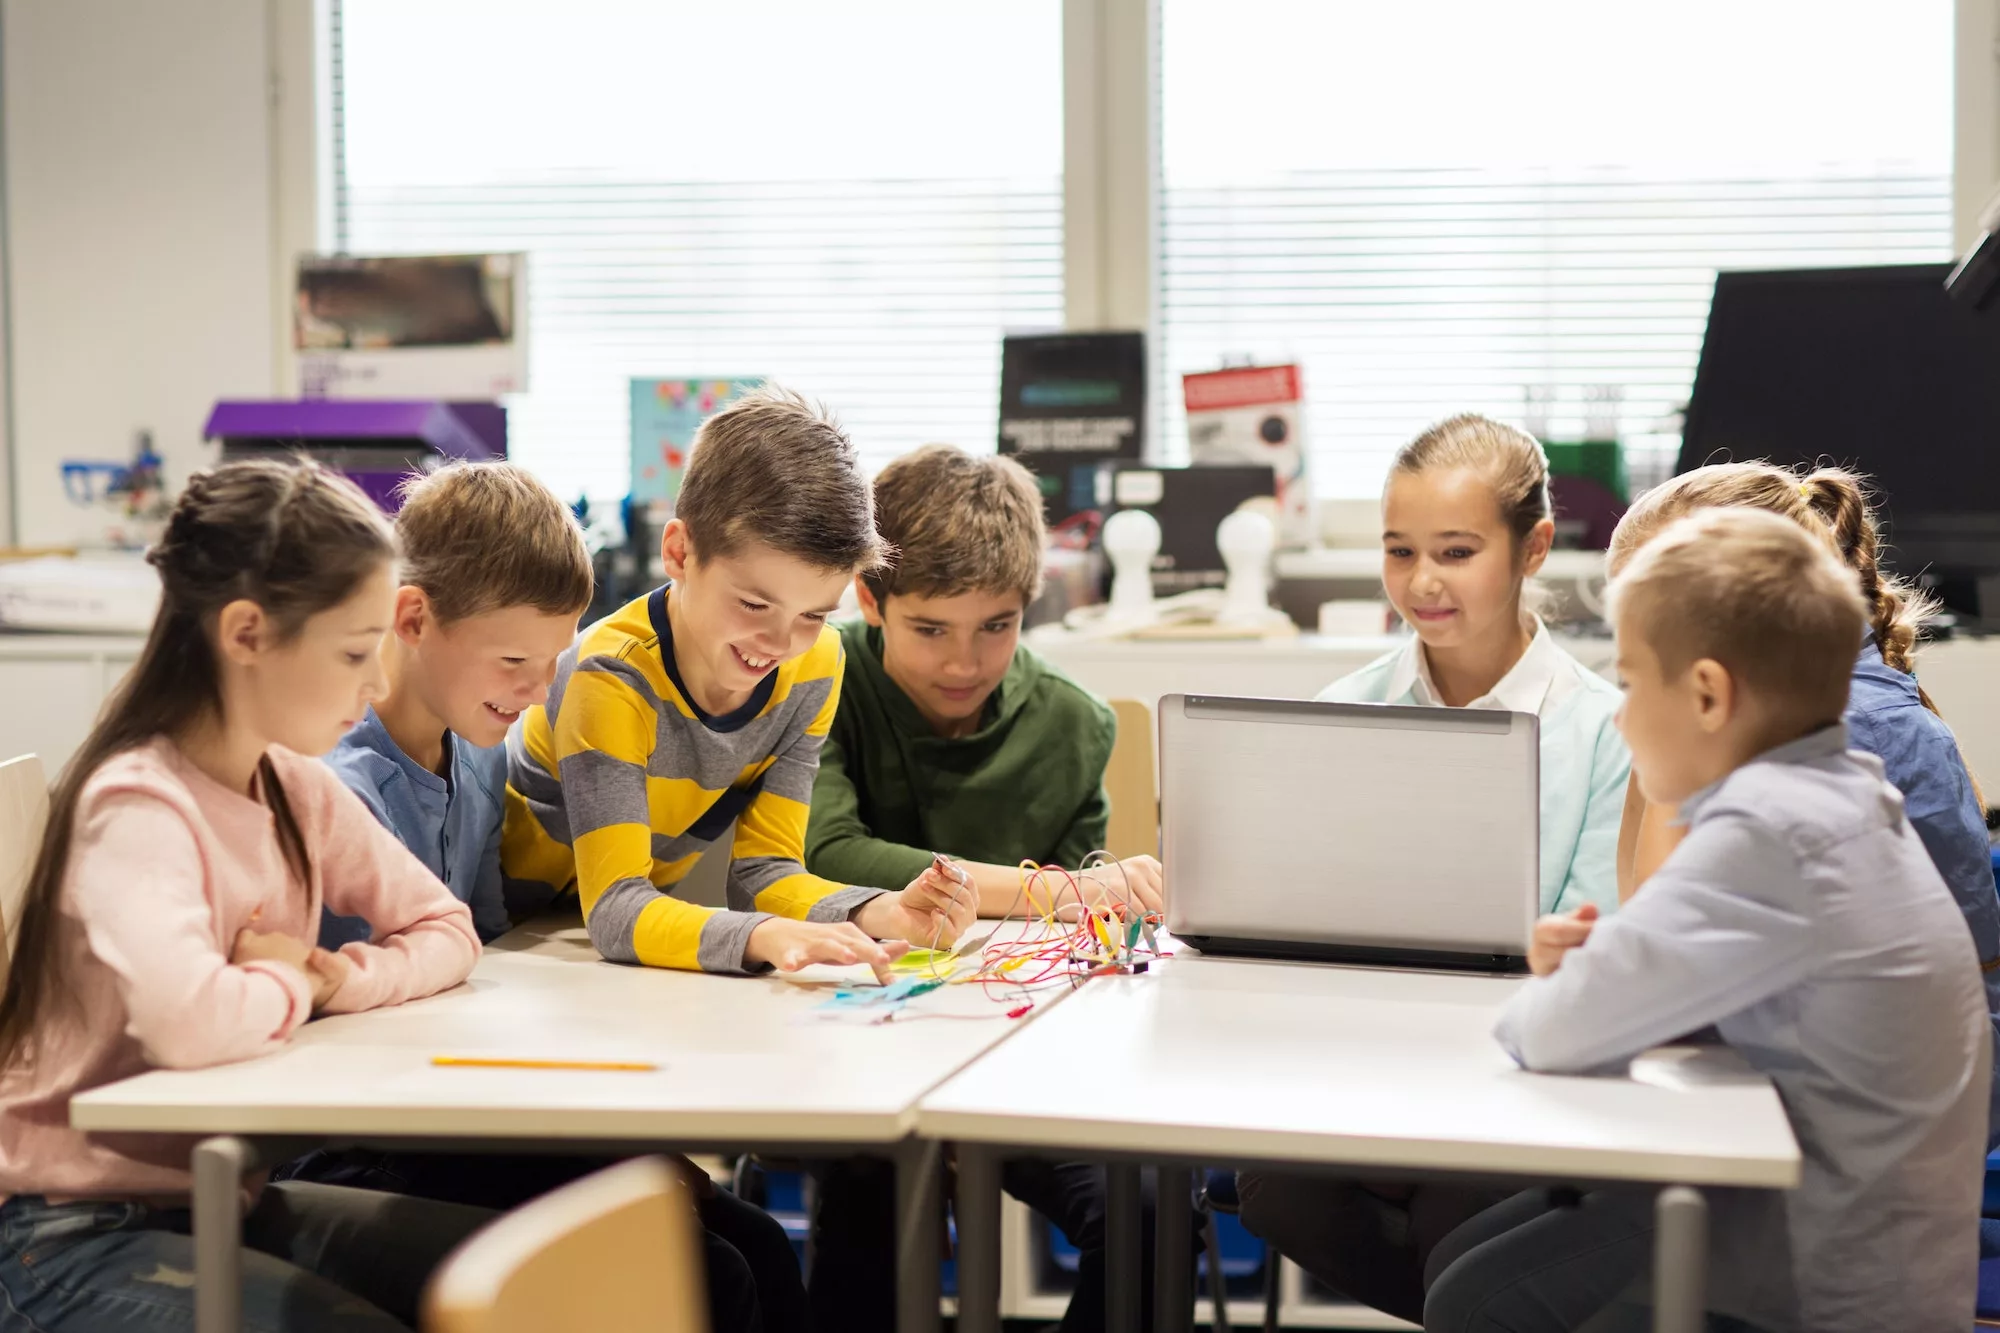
[(1831, 503)]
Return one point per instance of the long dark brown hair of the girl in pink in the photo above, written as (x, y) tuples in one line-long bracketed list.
[(291, 537)]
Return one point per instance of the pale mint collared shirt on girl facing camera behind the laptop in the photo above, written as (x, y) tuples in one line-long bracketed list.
[(1585, 762)]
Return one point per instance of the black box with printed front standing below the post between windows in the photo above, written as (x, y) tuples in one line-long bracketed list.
[(1071, 403)]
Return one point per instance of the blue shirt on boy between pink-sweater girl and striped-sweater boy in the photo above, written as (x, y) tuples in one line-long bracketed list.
[(451, 826)]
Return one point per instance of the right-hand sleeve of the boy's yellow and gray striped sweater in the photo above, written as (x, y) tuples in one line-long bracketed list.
[(769, 860)]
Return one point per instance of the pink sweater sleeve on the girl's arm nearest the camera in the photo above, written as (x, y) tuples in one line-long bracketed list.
[(139, 890)]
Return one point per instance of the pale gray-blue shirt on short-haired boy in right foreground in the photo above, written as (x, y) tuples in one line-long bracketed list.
[(1805, 920)]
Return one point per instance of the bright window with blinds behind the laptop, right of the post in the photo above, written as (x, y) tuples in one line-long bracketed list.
[(1533, 209)]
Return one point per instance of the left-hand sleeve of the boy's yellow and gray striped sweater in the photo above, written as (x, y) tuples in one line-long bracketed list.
[(603, 738)]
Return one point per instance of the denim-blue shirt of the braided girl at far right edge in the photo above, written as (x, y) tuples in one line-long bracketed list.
[(1921, 760)]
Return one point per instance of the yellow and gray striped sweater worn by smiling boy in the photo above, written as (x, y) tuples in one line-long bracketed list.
[(619, 784)]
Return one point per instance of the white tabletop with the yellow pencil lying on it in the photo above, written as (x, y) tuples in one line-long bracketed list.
[(741, 1062)]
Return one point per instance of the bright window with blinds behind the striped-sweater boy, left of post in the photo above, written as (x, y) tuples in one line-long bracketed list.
[(855, 199)]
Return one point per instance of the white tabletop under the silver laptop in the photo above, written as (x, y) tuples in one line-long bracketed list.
[(1269, 1062)]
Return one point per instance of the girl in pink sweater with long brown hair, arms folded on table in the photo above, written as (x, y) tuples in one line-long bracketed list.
[(173, 912)]
